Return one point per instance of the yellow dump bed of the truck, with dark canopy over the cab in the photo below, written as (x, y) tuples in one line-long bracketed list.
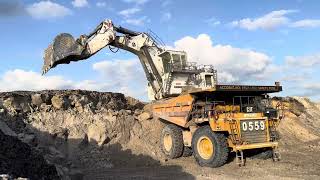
[(177, 109)]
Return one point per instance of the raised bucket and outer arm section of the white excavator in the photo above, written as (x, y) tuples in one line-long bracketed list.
[(65, 48)]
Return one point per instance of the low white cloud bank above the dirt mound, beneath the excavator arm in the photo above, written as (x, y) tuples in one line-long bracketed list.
[(125, 76)]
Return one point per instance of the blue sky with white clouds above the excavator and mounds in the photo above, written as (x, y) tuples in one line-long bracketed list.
[(249, 42)]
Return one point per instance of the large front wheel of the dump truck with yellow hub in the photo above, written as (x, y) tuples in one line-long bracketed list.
[(209, 148)]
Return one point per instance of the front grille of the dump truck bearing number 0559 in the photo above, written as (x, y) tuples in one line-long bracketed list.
[(253, 131)]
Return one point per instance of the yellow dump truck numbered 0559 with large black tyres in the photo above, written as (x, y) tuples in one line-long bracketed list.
[(212, 123)]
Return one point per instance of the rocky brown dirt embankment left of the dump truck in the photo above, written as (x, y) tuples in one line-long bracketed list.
[(71, 128)]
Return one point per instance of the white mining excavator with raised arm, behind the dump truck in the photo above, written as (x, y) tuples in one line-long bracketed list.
[(167, 71)]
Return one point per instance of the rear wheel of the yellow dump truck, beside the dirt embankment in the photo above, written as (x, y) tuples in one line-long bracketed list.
[(172, 141)]
